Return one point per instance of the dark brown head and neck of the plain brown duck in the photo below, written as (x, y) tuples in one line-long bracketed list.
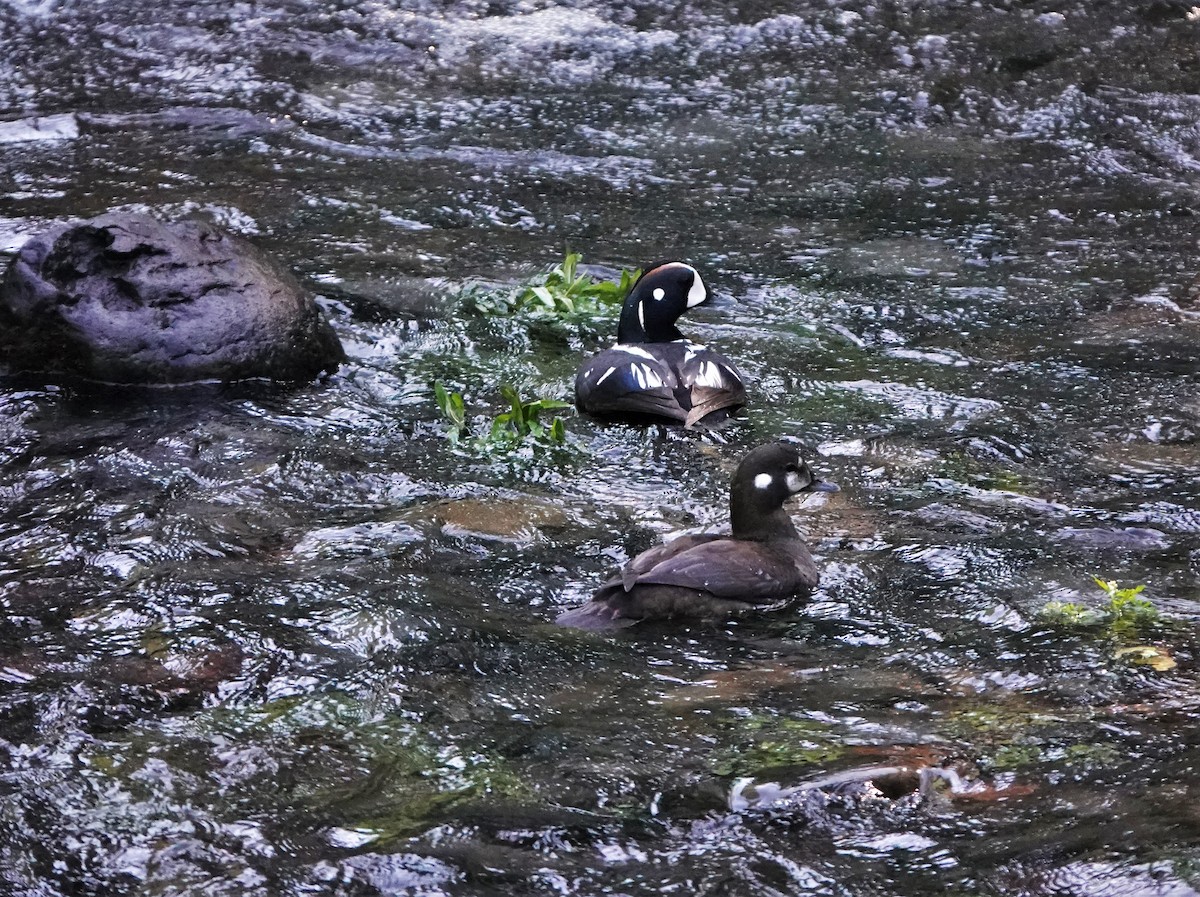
[(764, 481)]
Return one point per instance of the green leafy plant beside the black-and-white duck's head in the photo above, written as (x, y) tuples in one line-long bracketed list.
[(562, 292)]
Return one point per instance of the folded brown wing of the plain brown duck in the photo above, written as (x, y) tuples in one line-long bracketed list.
[(739, 571)]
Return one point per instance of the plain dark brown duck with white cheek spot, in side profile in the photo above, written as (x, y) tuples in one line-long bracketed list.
[(764, 562)]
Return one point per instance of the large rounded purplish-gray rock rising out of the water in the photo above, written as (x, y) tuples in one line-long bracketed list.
[(128, 299)]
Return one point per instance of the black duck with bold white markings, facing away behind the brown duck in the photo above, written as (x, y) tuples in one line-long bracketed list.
[(653, 372)]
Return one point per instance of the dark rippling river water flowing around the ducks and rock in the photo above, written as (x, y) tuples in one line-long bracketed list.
[(266, 641)]
